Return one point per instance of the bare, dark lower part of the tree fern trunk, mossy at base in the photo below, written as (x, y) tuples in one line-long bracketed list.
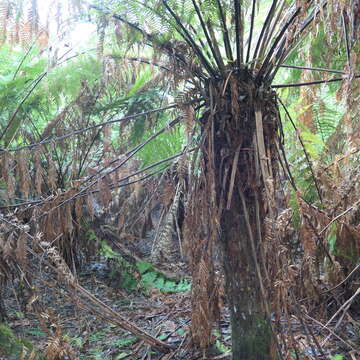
[(251, 335)]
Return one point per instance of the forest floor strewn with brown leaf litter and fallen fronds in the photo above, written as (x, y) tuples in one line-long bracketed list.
[(164, 315)]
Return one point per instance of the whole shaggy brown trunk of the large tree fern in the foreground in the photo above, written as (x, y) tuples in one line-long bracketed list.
[(240, 129)]
